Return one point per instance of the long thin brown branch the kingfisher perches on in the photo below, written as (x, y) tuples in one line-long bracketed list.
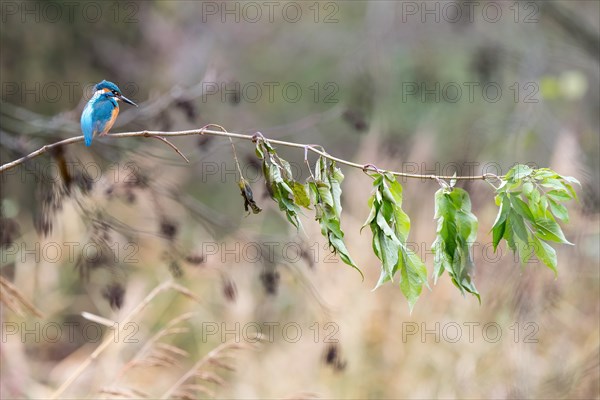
[(203, 131)]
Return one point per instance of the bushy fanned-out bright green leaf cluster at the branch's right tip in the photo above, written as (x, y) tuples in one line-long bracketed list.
[(530, 200)]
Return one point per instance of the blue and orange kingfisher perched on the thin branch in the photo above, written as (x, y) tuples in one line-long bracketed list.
[(101, 111)]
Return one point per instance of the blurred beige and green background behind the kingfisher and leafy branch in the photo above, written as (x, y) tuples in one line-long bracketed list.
[(431, 87)]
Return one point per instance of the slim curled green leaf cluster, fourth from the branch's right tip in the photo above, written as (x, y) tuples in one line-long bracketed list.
[(325, 190)]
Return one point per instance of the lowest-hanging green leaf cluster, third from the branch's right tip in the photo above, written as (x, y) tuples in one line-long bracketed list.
[(390, 227)]
